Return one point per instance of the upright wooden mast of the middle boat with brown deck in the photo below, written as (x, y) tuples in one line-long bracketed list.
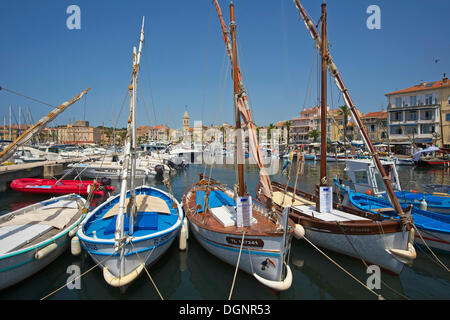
[(236, 89)]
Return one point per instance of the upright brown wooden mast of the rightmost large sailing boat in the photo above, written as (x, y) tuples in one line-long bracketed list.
[(323, 106)]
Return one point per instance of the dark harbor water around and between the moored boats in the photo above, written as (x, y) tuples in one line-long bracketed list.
[(195, 274)]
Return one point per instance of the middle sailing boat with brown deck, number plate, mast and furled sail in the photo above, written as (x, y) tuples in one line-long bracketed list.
[(259, 243)]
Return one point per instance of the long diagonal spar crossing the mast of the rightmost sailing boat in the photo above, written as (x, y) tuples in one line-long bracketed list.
[(348, 101)]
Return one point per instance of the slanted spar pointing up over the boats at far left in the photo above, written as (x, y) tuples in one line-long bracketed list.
[(38, 126)]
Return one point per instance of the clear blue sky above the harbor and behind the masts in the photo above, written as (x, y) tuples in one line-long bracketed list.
[(183, 57)]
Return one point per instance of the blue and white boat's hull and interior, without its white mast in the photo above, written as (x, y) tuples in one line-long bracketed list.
[(158, 221)]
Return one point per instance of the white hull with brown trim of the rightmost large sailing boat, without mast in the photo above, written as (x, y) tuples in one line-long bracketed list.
[(360, 235)]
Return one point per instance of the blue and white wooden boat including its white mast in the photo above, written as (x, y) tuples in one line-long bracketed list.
[(133, 229)]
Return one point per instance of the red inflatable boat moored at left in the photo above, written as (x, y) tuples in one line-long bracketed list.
[(53, 186)]
